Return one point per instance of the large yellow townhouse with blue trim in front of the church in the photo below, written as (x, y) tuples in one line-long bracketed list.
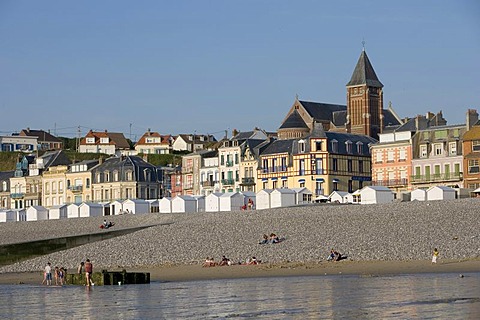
[(321, 162)]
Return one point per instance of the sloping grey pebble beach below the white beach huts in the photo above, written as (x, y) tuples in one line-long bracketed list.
[(398, 231)]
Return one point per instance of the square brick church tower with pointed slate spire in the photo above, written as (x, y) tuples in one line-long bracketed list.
[(364, 100)]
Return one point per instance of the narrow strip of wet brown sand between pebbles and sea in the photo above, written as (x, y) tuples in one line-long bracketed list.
[(183, 272)]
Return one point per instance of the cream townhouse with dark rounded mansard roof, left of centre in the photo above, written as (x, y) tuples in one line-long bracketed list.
[(125, 177)]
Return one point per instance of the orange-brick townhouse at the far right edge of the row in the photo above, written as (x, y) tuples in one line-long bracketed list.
[(471, 153)]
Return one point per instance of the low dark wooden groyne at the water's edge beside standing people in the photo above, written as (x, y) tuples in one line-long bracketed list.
[(105, 278)]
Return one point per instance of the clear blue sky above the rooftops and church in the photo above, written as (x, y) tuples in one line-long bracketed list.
[(209, 66)]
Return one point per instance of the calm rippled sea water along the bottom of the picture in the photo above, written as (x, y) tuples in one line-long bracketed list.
[(439, 296)]
